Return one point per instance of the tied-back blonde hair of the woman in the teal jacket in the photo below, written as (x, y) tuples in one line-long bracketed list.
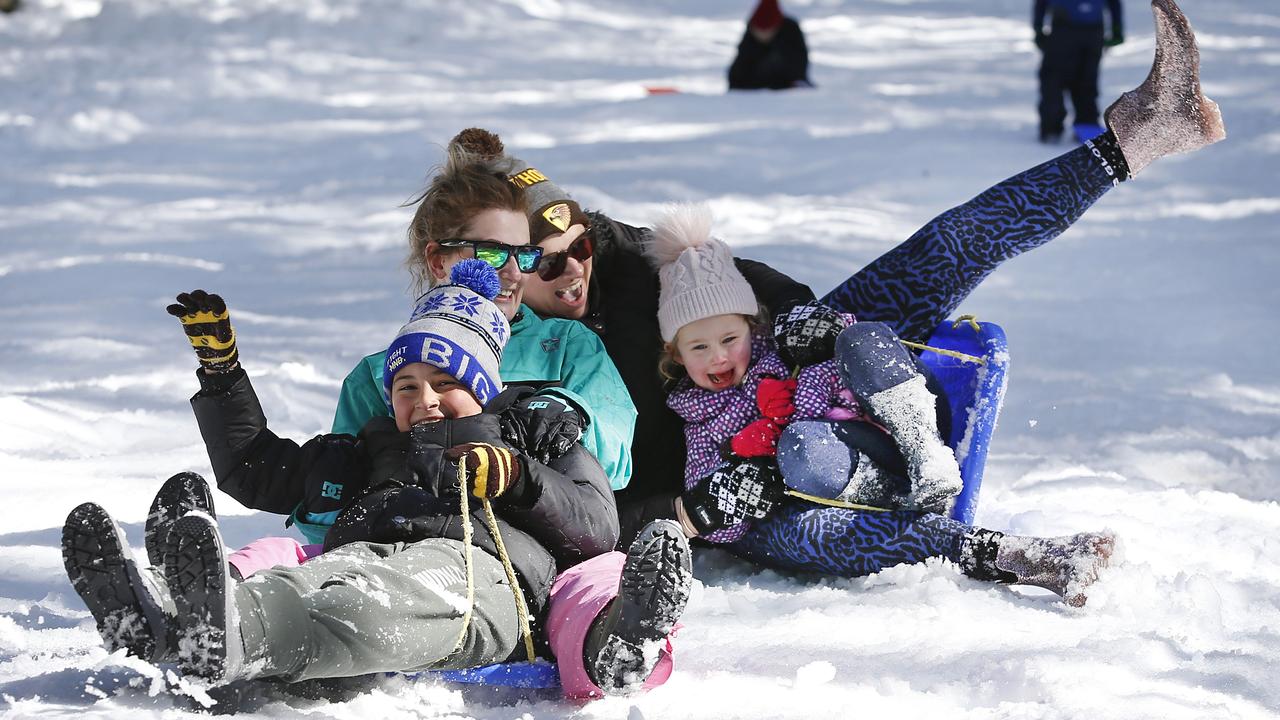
[(468, 185)]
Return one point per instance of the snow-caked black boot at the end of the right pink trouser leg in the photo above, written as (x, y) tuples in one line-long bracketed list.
[(625, 642)]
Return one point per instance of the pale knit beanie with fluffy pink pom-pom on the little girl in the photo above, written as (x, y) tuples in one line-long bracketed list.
[(697, 272)]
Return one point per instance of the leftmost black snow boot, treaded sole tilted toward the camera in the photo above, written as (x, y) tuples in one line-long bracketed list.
[(131, 605)]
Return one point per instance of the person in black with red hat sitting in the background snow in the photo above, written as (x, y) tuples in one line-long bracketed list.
[(772, 54)]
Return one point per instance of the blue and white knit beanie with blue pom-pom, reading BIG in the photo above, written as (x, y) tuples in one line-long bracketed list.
[(458, 329)]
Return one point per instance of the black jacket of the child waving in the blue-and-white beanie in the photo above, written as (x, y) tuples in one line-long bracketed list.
[(556, 516)]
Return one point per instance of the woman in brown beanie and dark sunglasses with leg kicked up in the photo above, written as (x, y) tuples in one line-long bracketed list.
[(912, 289)]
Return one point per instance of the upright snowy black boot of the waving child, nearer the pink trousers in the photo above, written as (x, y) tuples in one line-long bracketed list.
[(200, 582)]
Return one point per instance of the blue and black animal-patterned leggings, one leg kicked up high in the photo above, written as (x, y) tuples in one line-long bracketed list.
[(912, 289)]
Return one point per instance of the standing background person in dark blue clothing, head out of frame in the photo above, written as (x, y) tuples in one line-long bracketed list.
[(1072, 53)]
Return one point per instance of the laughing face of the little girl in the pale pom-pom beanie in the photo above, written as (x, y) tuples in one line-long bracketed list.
[(716, 352)]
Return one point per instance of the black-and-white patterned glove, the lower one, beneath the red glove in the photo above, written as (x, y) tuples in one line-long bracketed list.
[(747, 490)]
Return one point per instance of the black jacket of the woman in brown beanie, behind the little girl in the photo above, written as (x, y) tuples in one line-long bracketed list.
[(624, 312)]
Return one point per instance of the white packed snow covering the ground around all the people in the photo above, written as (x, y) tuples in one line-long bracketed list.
[(264, 151)]
